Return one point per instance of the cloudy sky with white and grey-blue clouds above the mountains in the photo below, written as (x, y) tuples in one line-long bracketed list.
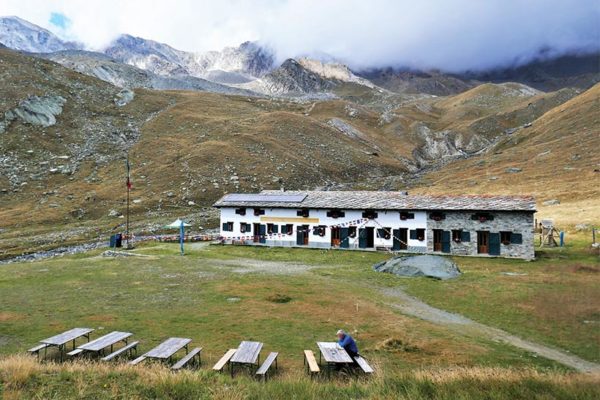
[(452, 35)]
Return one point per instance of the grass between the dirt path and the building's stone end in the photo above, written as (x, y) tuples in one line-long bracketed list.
[(557, 302)]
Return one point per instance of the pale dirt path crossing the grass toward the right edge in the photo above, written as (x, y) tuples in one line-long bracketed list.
[(412, 306)]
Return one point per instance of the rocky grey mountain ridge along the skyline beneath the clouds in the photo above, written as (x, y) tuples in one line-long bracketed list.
[(251, 66)]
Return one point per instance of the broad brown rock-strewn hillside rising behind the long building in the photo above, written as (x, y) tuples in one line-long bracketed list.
[(65, 137)]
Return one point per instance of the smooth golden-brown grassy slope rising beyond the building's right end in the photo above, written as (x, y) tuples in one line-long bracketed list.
[(555, 159)]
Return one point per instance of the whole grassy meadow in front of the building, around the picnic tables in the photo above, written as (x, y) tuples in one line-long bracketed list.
[(220, 295)]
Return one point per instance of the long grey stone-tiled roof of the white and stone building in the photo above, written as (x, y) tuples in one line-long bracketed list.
[(361, 200)]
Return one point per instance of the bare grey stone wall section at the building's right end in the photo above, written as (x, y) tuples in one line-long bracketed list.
[(504, 221)]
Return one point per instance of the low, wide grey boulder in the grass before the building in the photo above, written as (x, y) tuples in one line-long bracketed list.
[(422, 265)]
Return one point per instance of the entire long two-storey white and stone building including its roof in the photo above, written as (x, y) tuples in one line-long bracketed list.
[(500, 226)]
